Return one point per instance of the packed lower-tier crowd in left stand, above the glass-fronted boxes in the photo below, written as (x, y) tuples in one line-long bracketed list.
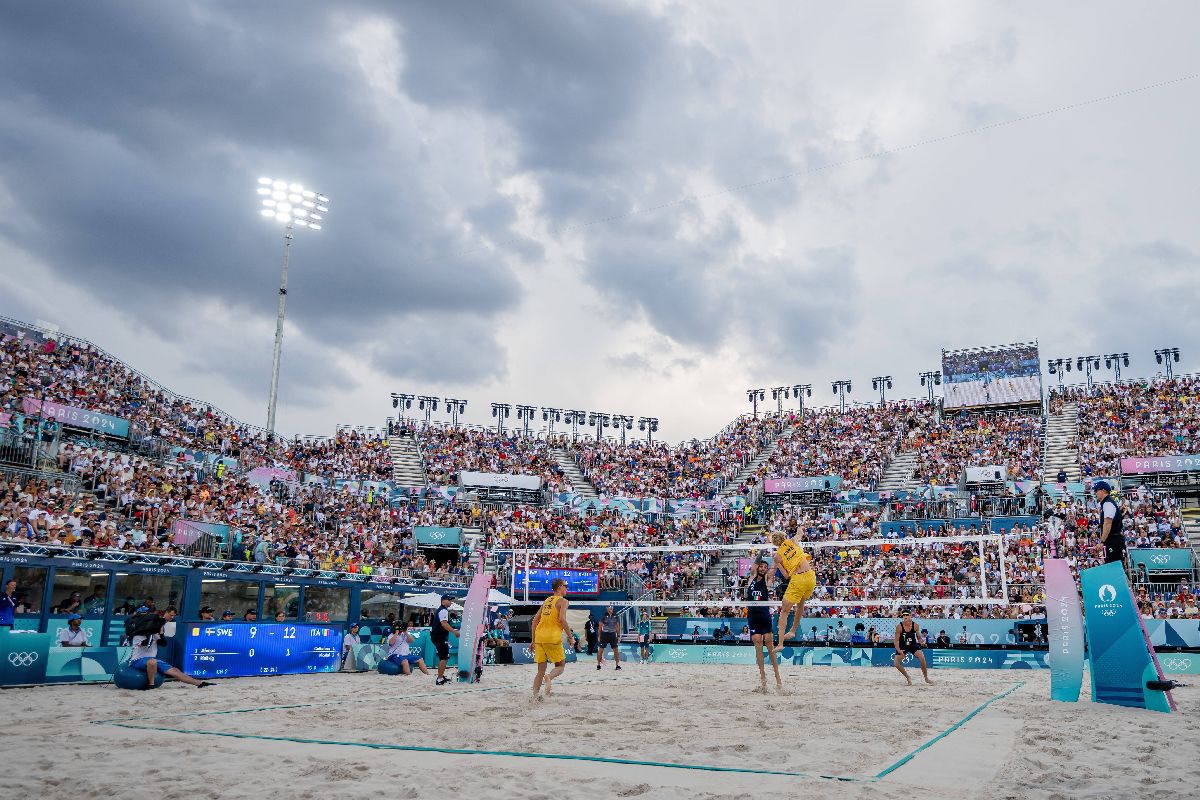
[(135, 504)]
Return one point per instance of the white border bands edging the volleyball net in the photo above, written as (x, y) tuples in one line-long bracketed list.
[(983, 540)]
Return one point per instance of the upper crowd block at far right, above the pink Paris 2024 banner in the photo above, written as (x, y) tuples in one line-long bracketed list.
[(1135, 420)]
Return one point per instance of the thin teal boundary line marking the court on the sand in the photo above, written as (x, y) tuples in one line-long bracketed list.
[(127, 723)]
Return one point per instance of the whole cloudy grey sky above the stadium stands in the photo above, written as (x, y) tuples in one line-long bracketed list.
[(531, 201)]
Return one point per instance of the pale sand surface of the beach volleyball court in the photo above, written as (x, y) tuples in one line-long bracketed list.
[(850, 723)]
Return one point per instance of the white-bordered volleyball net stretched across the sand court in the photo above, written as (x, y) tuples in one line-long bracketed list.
[(885, 574)]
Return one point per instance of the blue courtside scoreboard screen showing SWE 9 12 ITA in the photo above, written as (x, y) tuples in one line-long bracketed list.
[(272, 649)]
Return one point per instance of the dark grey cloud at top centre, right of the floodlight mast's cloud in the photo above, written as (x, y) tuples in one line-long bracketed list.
[(613, 116)]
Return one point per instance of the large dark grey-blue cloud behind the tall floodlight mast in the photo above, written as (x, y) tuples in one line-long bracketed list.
[(133, 135)]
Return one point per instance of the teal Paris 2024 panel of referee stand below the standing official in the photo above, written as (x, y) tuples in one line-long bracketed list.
[(1119, 654)]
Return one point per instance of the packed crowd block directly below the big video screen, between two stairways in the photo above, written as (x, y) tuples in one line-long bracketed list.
[(946, 448)]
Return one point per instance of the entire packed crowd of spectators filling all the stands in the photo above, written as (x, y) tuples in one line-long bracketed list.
[(133, 503)]
